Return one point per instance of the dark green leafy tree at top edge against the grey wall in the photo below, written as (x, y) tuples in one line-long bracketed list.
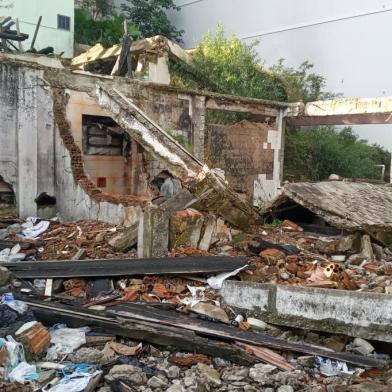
[(150, 17)]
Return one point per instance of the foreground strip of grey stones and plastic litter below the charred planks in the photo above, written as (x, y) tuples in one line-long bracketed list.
[(33, 357)]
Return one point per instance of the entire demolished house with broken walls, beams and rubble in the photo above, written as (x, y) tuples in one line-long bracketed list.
[(237, 305)]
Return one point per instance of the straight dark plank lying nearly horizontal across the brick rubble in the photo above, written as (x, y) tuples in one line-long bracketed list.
[(125, 267)]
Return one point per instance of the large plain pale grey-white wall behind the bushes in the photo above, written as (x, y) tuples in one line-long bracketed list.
[(346, 40)]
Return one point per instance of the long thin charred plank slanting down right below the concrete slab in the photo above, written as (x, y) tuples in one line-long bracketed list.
[(222, 331)]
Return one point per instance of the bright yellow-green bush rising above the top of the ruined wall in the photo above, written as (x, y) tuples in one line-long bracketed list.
[(229, 66)]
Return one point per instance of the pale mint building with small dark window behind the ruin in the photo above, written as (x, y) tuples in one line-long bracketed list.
[(57, 26)]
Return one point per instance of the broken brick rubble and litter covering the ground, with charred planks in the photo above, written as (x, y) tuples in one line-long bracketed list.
[(39, 351)]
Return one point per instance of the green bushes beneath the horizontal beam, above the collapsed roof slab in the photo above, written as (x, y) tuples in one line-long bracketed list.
[(313, 154)]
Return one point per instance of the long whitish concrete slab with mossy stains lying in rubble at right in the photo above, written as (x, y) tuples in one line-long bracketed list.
[(358, 314)]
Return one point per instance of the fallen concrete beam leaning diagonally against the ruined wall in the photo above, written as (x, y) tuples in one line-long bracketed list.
[(196, 177)]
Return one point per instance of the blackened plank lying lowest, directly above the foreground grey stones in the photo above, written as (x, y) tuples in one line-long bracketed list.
[(153, 333)]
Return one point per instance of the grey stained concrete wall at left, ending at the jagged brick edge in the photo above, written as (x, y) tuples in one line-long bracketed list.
[(33, 158)]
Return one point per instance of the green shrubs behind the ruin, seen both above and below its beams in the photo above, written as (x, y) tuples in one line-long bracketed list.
[(227, 65)]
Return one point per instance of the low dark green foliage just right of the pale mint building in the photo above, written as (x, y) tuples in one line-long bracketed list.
[(108, 32)]
